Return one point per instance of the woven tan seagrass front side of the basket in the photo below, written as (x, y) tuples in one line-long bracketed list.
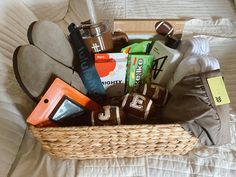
[(114, 141)]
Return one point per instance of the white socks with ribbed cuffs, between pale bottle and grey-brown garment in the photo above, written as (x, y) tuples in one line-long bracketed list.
[(195, 61)]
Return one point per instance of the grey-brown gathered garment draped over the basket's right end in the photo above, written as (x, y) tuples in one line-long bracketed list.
[(193, 107)]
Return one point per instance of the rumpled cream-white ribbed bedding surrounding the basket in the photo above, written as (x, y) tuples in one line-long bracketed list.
[(21, 155)]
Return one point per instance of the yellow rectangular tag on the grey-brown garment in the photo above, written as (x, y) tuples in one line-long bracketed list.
[(218, 90)]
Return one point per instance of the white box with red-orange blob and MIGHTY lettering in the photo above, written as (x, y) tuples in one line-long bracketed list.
[(111, 68)]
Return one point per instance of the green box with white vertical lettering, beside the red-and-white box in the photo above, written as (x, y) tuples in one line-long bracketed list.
[(138, 71)]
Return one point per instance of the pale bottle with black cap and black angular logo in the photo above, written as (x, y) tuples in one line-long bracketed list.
[(166, 60)]
